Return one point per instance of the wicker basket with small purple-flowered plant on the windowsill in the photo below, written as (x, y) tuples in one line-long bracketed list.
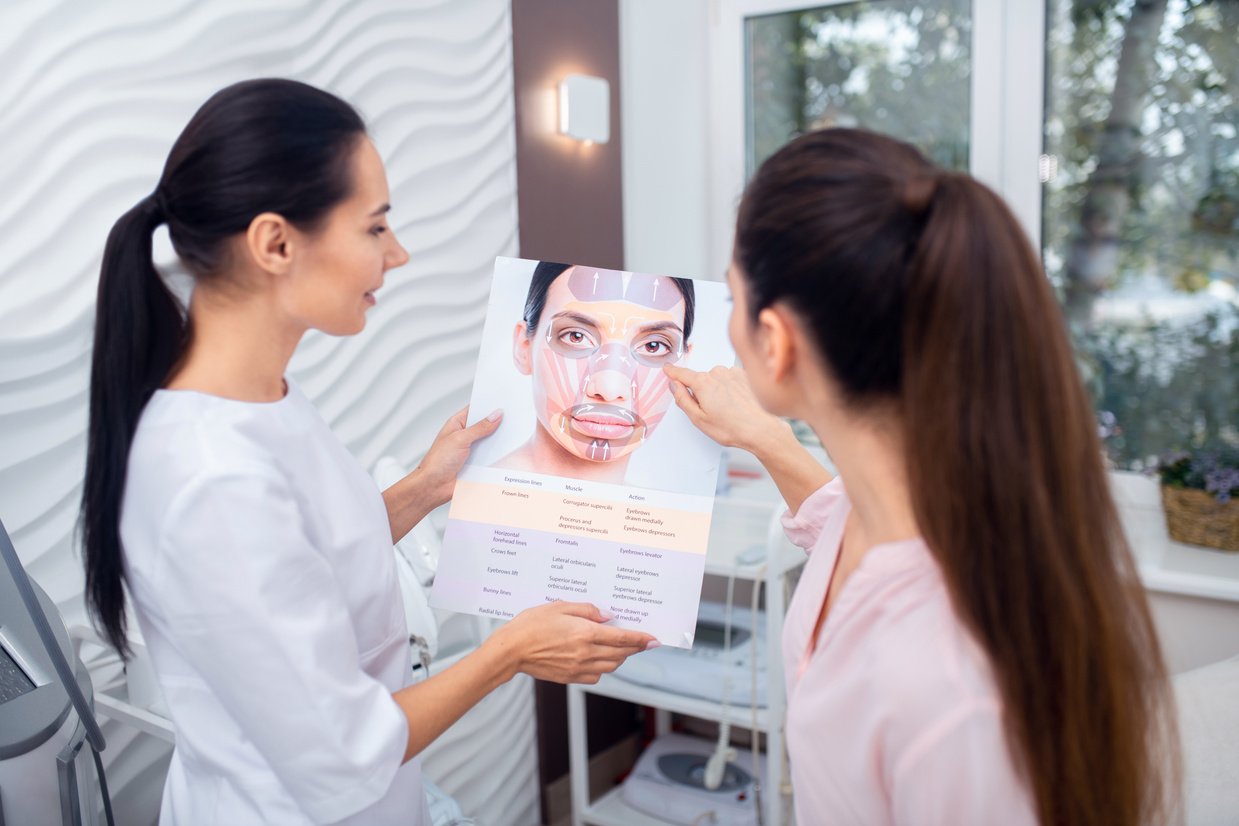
[(1201, 496)]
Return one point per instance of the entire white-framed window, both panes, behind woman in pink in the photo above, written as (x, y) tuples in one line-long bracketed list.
[(1139, 214)]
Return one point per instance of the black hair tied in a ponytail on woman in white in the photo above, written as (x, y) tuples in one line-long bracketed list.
[(257, 147)]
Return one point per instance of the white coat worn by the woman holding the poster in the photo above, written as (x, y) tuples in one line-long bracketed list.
[(261, 569)]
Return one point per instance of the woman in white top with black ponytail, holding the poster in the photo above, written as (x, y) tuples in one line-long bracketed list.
[(257, 552)]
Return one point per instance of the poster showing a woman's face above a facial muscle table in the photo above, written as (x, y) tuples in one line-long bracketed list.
[(597, 487)]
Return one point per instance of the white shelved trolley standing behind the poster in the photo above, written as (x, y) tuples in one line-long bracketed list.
[(746, 542)]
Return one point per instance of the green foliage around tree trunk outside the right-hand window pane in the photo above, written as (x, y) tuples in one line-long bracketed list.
[(1170, 383)]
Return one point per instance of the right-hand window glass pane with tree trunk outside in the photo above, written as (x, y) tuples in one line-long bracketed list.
[(1142, 215)]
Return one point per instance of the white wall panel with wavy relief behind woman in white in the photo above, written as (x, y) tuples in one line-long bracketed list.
[(92, 96)]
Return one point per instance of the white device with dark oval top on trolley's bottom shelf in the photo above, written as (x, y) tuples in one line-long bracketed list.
[(668, 783)]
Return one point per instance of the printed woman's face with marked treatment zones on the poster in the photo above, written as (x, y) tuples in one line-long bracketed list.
[(598, 360)]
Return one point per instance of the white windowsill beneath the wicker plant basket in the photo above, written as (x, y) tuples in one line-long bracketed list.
[(1168, 567)]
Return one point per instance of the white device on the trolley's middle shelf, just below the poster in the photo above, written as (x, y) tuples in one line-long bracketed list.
[(706, 669)]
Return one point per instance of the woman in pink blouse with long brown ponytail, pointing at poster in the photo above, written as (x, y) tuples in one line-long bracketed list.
[(970, 642)]
